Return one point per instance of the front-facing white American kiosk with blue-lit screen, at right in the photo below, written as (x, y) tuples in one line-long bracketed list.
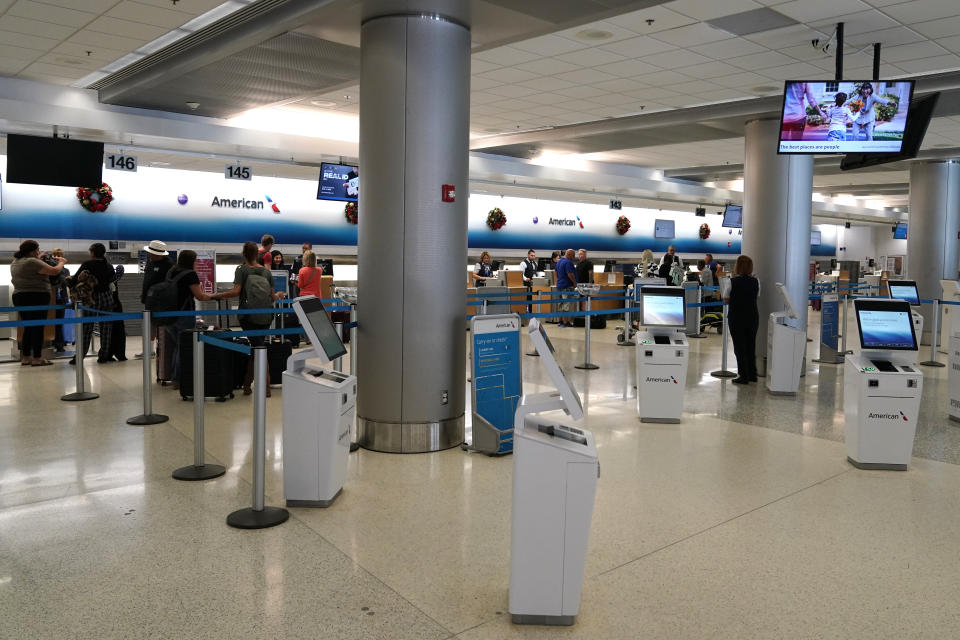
[(882, 386)]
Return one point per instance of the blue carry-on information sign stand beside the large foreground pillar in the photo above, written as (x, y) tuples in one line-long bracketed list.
[(497, 381)]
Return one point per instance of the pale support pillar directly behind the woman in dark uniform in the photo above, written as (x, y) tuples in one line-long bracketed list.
[(777, 193)]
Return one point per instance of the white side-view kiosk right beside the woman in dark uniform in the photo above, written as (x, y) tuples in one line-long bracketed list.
[(786, 344)]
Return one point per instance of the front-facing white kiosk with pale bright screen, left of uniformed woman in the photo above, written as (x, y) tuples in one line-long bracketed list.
[(662, 354)]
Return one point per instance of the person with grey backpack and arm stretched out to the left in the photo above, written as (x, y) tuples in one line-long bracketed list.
[(254, 284)]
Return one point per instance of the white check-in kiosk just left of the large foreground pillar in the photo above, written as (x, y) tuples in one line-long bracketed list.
[(318, 411)]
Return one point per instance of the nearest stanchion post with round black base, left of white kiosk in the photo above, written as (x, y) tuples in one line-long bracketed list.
[(259, 516)]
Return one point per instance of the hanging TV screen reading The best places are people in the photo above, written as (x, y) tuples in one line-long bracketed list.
[(859, 116)]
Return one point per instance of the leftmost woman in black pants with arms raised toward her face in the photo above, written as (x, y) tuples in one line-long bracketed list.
[(30, 276)]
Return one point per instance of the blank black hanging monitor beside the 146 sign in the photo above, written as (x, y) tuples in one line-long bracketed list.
[(54, 161)]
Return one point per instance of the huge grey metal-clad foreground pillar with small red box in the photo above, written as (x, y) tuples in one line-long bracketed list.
[(414, 138)]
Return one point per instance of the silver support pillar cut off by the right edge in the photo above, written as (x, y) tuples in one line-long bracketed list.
[(932, 245)]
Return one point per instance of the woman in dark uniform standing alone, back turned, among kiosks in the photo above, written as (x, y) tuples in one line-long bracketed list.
[(743, 319)]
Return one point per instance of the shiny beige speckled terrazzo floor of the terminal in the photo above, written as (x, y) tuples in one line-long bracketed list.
[(744, 521)]
